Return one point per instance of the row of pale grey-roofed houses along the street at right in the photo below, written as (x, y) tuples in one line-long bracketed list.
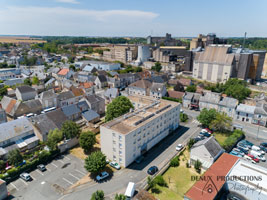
[(256, 114)]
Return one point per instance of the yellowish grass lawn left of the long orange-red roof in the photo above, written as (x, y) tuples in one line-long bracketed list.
[(178, 180)]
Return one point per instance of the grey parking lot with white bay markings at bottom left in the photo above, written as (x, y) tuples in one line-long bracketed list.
[(61, 174)]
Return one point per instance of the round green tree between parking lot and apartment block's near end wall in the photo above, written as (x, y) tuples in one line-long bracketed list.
[(95, 162)]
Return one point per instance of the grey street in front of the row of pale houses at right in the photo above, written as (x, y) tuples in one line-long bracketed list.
[(250, 130)]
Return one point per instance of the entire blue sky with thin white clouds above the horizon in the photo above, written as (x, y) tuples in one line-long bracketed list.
[(133, 17)]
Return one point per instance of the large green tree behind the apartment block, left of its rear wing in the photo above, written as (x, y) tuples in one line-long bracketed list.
[(118, 107)]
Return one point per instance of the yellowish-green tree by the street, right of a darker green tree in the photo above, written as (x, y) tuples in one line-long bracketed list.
[(221, 122)]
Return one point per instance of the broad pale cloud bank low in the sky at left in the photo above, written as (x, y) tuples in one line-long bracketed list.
[(70, 21)]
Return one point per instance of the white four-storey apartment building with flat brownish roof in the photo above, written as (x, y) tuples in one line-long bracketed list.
[(129, 136)]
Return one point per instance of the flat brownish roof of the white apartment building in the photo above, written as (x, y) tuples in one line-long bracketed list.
[(151, 109)]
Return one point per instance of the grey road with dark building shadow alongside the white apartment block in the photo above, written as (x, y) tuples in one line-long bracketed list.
[(136, 173)]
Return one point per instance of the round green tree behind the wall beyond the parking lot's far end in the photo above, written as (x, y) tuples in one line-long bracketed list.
[(70, 129)]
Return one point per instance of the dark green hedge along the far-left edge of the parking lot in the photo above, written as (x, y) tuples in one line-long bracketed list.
[(42, 158)]
